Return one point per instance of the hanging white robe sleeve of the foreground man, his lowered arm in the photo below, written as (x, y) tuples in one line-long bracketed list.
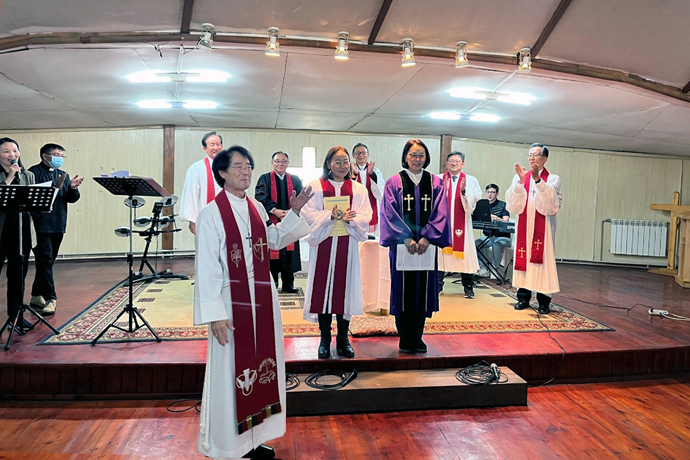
[(208, 284)]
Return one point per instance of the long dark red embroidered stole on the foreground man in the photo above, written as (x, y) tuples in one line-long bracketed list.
[(256, 368)]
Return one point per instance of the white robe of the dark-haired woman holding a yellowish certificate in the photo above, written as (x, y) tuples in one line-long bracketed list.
[(319, 220)]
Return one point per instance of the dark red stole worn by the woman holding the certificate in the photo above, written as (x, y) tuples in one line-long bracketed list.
[(320, 286)]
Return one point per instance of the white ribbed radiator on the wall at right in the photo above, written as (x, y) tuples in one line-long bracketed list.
[(639, 237)]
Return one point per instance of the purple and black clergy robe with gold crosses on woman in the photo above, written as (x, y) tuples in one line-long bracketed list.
[(394, 230)]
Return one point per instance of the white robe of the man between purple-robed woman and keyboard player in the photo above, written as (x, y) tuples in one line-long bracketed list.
[(470, 264)]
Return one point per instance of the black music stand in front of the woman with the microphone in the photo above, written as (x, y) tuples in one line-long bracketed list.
[(21, 198)]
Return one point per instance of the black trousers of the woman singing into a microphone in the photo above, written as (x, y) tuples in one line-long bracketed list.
[(16, 266)]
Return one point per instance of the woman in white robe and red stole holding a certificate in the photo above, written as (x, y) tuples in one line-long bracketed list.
[(339, 215)]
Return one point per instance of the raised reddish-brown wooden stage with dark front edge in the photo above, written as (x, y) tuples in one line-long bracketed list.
[(641, 346)]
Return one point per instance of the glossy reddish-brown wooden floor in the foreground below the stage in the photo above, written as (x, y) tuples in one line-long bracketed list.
[(625, 420)]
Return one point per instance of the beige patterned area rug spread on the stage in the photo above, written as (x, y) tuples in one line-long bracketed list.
[(168, 305)]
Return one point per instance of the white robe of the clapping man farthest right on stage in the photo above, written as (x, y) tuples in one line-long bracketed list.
[(545, 198)]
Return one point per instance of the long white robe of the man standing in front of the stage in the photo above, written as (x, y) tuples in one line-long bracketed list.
[(213, 302)]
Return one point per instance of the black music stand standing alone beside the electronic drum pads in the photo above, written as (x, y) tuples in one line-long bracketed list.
[(130, 186)]
